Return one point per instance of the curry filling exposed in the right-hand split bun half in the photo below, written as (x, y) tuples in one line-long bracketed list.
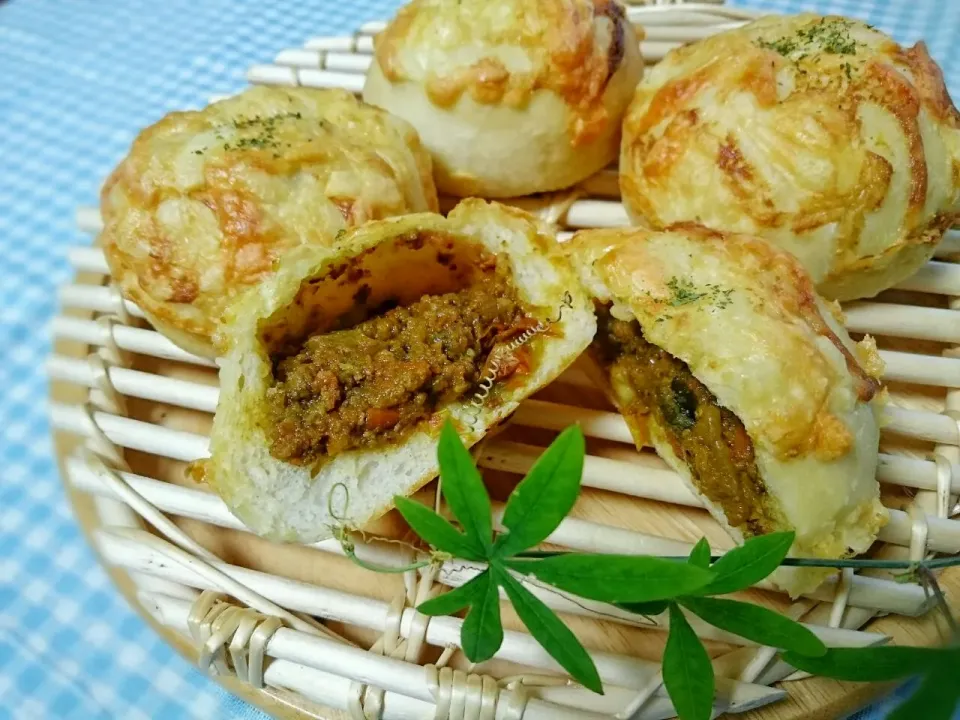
[(709, 438)]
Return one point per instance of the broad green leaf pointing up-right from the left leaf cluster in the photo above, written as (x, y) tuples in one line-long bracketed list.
[(545, 496)]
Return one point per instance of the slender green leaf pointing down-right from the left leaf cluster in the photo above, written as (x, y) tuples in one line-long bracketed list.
[(553, 636)]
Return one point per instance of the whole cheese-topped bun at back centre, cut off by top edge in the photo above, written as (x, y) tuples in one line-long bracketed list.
[(512, 97)]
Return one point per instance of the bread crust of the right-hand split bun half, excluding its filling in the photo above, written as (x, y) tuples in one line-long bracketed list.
[(744, 317)]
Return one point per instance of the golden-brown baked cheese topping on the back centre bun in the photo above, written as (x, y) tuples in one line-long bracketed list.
[(502, 51)]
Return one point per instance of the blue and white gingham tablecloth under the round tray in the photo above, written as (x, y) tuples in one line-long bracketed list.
[(77, 80)]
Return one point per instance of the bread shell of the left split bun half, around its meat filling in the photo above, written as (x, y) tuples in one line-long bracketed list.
[(290, 502)]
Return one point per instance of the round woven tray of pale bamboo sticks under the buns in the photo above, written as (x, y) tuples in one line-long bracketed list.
[(301, 631)]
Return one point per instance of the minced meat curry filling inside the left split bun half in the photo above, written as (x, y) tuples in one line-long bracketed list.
[(375, 382)]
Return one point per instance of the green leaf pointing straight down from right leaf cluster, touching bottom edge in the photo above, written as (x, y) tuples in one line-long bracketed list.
[(687, 672)]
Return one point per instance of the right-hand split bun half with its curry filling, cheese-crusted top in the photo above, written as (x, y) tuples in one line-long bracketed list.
[(720, 354)]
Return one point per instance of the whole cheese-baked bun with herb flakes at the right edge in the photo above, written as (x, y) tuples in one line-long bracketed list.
[(820, 134)]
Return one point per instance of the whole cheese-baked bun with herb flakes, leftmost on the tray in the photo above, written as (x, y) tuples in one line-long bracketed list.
[(207, 201)]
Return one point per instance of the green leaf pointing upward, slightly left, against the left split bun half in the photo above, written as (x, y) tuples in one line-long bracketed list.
[(463, 489)]
